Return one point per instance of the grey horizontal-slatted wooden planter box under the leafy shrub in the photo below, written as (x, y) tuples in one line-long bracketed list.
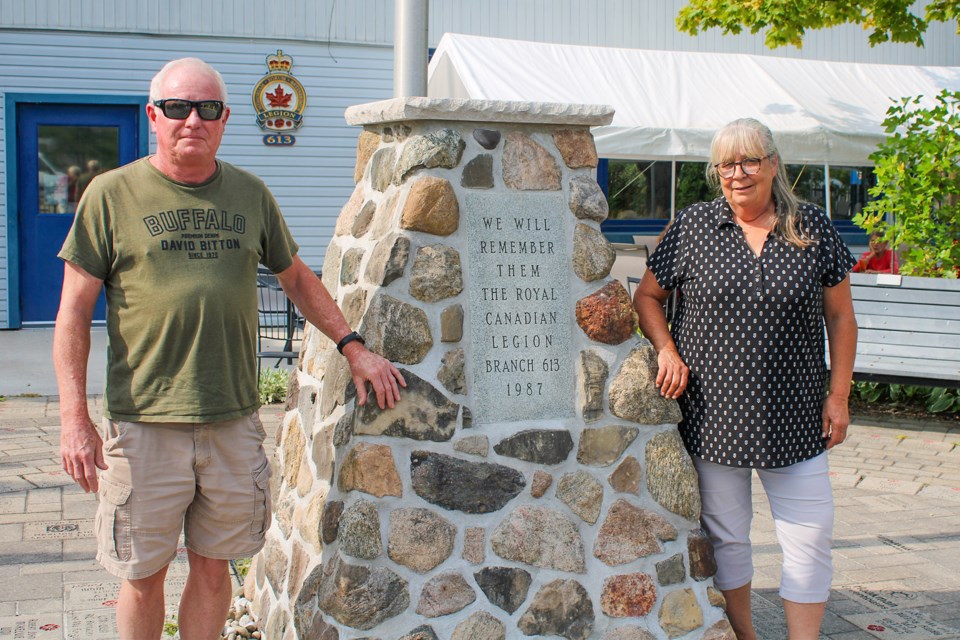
[(909, 330)]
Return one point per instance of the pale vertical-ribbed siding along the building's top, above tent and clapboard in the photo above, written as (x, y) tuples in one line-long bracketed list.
[(642, 24)]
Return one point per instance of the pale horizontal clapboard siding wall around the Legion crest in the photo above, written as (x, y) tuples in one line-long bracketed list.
[(312, 180)]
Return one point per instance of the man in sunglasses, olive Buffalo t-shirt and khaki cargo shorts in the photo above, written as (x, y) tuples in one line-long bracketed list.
[(176, 239)]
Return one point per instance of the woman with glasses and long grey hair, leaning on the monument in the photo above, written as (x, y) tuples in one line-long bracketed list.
[(758, 273)]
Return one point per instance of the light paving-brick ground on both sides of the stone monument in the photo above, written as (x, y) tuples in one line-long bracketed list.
[(896, 551)]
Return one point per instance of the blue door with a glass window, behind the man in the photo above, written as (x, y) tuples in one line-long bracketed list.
[(60, 148)]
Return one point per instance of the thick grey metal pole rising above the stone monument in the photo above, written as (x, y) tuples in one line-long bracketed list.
[(410, 48)]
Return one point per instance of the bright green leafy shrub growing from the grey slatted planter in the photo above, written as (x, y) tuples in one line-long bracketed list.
[(917, 205)]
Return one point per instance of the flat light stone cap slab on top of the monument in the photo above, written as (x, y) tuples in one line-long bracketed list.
[(458, 109)]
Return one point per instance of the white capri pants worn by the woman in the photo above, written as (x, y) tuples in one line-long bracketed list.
[(801, 502)]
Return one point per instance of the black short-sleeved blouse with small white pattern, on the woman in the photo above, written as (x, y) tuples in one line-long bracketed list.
[(751, 330)]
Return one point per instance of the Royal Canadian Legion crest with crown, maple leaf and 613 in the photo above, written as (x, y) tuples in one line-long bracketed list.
[(279, 99)]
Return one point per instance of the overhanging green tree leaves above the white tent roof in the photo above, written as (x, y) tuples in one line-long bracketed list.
[(787, 21)]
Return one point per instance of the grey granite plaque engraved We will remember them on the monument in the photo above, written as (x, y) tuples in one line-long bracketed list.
[(520, 306)]
